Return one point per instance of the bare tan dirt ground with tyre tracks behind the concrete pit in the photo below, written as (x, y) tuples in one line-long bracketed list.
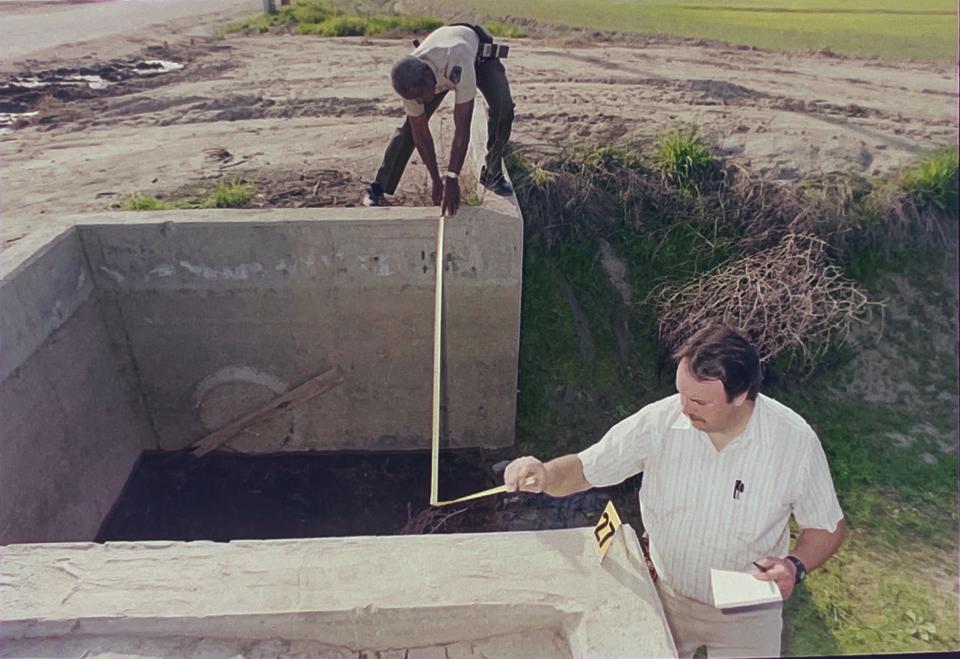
[(306, 119)]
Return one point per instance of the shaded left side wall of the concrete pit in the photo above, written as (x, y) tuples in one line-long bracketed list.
[(70, 428)]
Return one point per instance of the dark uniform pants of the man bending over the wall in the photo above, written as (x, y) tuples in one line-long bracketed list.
[(492, 83)]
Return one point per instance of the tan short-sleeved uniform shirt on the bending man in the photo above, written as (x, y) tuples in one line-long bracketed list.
[(443, 49)]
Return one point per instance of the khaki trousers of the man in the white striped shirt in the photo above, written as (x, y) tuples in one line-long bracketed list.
[(746, 632)]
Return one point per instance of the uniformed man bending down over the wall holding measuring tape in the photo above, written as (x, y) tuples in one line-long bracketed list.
[(462, 59)]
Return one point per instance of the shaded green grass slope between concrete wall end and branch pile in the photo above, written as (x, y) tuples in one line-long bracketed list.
[(572, 384)]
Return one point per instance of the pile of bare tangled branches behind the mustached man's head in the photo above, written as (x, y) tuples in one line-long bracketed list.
[(783, 298)]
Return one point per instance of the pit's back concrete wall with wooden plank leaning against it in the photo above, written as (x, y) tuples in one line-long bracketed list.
[(223, 310)]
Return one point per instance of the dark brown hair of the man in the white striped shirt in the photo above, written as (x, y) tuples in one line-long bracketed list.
[(717, 352)]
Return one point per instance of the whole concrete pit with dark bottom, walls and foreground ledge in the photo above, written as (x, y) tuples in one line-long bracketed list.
[(125, 333)]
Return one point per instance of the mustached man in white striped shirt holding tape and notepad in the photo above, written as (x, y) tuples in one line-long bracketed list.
[(723, 467)]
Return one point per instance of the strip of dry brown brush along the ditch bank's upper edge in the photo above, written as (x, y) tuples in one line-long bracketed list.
[(576, 194)]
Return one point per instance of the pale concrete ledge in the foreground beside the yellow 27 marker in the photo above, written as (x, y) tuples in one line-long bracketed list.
[(348, 595)]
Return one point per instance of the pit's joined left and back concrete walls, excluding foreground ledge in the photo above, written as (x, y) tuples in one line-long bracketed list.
[(125, 331)]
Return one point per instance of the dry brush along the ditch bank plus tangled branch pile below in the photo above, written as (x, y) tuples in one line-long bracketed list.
[(764, 256)]
